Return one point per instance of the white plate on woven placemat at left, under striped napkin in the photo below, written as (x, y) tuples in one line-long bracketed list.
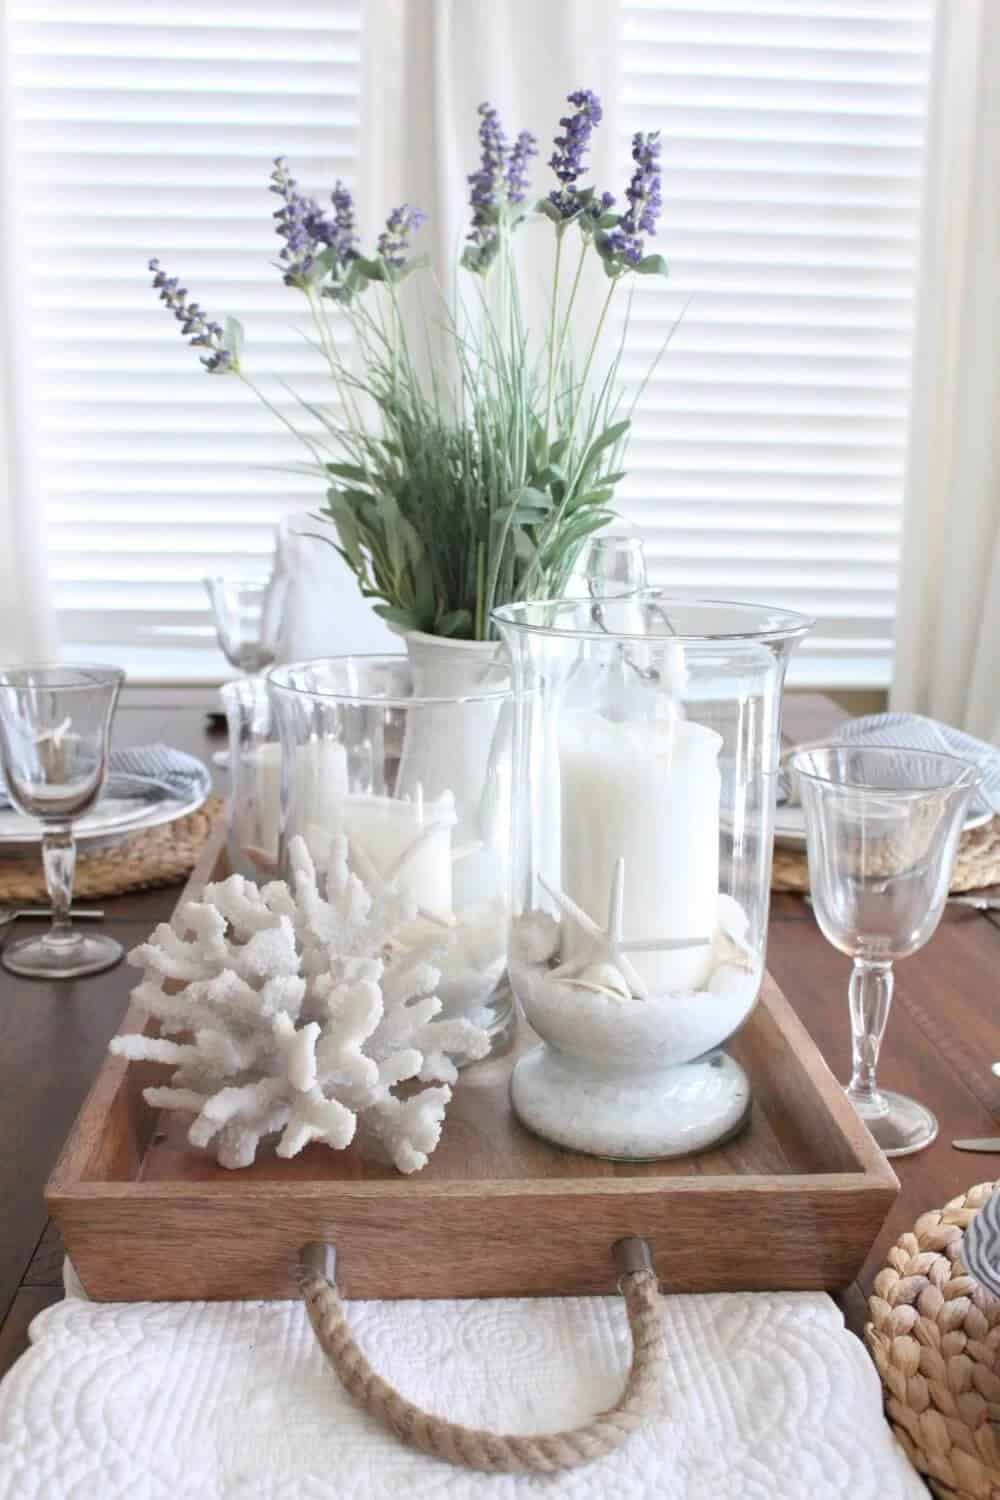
[(128, 805)]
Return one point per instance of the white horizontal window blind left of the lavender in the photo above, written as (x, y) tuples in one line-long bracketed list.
[(151, 131)]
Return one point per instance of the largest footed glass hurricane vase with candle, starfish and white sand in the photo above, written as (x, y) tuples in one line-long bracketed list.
[(645, 763)]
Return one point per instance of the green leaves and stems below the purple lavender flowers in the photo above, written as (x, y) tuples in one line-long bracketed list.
[(455, 497)]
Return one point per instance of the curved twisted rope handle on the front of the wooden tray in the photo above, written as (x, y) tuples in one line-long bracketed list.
[(473, 1448)]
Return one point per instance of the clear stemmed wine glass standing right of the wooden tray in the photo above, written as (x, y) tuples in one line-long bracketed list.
[(882, 832)]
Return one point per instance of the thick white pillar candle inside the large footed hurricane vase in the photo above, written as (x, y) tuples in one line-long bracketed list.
[(650, 794)]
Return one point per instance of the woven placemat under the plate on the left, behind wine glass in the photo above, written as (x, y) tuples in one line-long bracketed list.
[(145, 860)]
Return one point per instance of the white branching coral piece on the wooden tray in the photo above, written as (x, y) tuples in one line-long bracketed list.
[(298, 1013)]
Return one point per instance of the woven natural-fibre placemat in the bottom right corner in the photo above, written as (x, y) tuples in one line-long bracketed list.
[(935, 1336)]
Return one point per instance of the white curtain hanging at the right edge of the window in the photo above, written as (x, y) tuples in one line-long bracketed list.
[(948, 625)]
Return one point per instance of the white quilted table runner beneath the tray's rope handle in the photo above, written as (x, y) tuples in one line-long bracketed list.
[(768, 1399)]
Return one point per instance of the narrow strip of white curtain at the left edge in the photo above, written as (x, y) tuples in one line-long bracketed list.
[(28, 631)]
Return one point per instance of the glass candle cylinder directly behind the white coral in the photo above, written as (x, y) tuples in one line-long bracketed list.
[(421, 784)]
